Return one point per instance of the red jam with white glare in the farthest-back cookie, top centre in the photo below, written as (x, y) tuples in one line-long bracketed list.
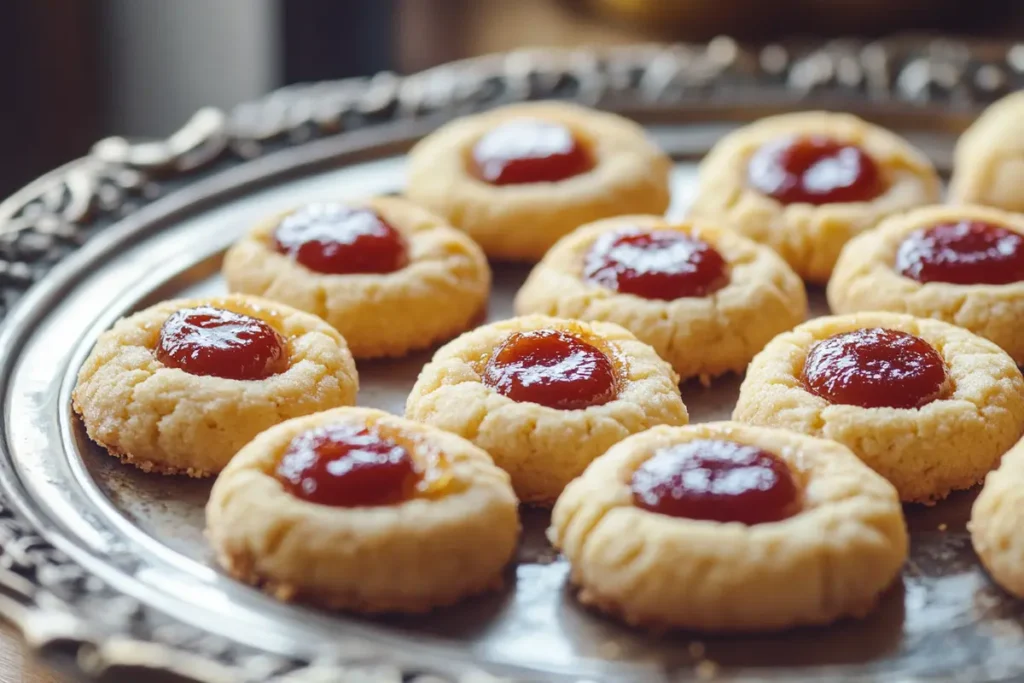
[(530, 151)]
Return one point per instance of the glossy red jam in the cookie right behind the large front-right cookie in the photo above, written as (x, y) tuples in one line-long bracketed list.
[(875, 368)]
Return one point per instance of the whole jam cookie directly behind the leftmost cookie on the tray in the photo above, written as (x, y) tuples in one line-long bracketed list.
[(390, 276)]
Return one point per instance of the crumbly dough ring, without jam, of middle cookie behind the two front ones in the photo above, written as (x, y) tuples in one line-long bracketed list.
[(543, 449)]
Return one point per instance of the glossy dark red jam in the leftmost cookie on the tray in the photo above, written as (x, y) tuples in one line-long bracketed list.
[(222, 344)]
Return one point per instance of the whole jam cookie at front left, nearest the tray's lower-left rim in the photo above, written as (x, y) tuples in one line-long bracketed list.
[(358, 509)]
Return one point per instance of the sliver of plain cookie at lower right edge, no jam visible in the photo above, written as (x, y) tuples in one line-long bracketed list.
[(996, 523)]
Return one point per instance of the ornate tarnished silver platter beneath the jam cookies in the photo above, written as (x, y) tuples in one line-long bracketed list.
[(106, 570)]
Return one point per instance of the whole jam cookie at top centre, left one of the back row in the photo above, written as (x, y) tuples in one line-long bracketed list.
[(520, 178)]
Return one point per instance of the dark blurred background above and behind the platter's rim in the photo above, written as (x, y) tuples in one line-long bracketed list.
[(73, 71)]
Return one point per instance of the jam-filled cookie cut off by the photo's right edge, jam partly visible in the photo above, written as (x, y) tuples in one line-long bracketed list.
[(962, 265)]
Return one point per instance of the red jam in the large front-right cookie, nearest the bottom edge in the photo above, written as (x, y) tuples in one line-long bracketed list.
[(718, 481)]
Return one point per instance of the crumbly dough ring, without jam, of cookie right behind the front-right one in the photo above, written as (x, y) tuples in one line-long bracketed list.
[(926, 453)]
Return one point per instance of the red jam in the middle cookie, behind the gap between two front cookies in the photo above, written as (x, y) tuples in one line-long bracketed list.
[(553, 369)]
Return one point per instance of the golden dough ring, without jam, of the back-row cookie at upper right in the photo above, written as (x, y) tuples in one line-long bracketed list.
[(809, 237)]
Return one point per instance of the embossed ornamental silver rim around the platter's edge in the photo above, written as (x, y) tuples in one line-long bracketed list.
[(51, 600)]
